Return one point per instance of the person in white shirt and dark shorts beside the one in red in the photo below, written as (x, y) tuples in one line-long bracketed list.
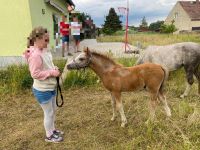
[(75, 32)]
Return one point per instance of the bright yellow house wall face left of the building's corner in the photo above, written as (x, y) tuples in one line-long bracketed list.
[(15, 25)]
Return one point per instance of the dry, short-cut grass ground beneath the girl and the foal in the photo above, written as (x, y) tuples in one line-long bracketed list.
[(85, 119)]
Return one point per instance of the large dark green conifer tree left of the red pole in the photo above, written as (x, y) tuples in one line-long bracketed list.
[(112, 23)]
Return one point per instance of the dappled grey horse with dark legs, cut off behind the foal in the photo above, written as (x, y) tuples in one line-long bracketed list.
[(175, 56)]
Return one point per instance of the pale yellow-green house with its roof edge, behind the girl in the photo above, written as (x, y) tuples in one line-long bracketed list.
[(19, 17)]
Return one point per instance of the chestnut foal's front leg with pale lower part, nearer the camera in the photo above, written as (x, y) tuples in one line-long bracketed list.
[(119, 107)]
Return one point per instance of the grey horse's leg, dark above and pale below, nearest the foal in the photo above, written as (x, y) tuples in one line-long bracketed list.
[(190, 80)]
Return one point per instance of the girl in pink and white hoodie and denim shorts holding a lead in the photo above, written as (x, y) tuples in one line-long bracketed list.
[(44, 74)]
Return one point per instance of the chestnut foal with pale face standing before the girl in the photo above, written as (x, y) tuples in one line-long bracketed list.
[(117, 79)]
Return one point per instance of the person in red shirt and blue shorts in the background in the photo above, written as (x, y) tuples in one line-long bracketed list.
[(64, 31)]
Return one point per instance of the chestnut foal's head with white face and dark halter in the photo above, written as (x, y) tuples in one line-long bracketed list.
[(83, 60)]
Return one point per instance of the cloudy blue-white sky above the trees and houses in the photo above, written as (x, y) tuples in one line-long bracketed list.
[(153, 10)]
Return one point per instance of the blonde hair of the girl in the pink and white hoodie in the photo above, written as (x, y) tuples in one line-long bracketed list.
[(37, 33)]
